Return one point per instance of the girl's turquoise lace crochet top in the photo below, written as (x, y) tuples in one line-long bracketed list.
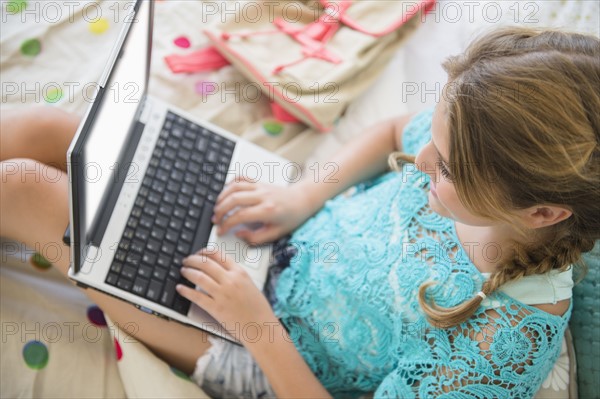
[(349, 300)]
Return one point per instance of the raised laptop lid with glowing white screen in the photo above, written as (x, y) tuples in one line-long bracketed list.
[(99, 158)]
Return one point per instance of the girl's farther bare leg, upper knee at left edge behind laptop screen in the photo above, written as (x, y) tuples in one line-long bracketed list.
[(40, 133)]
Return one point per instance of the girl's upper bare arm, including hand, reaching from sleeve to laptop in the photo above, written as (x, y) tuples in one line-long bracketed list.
[(280, 210)]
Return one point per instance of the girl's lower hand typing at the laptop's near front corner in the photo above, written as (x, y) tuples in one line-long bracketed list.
[(229, 296)]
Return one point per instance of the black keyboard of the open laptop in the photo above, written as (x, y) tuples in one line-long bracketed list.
[(171, 217)]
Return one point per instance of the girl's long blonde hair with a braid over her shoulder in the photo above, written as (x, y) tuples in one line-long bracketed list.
[(524, 108)]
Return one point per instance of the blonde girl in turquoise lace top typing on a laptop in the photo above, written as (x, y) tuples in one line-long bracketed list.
[(450, 277)]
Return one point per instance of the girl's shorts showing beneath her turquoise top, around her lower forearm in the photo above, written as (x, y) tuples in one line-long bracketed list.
[(228, 370)]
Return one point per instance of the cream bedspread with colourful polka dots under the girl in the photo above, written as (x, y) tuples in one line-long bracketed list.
[(55, 342)]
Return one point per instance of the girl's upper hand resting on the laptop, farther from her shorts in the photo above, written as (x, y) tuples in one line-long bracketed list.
[(279, 210)]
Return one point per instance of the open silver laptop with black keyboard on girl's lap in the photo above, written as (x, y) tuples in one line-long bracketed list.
[(143, 180)]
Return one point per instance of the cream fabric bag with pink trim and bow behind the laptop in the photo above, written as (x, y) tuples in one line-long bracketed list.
[(311, 65)]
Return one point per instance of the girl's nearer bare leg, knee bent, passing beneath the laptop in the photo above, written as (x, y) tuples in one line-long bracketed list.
[(34, 210)]
